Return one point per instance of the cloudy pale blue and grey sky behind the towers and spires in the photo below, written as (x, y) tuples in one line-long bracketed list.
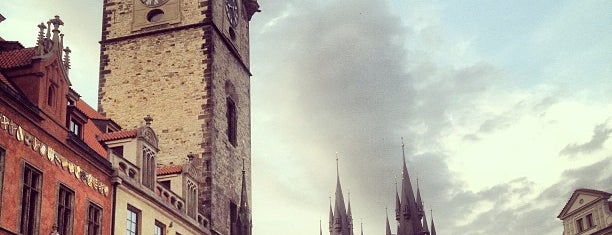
[(504, 106)]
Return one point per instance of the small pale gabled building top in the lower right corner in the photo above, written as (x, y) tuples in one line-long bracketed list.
[(587, 212)]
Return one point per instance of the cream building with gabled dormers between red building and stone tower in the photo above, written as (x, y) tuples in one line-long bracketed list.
[(148, 199)]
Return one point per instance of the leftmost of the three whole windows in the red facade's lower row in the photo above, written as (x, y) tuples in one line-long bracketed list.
[(30, 200)]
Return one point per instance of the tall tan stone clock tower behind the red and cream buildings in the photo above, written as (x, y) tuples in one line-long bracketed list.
[(185, 63)]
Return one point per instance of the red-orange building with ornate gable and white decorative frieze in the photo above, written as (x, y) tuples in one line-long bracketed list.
[(54, 175)]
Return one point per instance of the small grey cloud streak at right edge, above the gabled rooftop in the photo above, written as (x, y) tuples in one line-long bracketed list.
[(601, 133)]
